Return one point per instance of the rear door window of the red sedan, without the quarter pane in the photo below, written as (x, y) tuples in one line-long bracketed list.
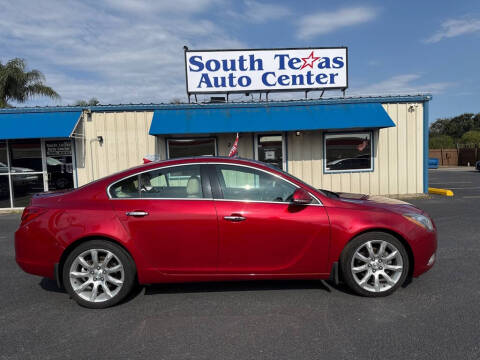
[(172, 183)]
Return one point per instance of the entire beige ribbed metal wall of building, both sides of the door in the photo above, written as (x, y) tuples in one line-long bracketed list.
[(398, 151)]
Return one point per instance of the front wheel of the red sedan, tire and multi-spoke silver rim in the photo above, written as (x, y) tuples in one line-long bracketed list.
[(374, 264)]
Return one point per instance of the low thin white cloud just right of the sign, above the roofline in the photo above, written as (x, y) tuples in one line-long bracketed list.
[(401, 84)]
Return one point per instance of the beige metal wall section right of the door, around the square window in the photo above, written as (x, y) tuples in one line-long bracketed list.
[(398, 157)]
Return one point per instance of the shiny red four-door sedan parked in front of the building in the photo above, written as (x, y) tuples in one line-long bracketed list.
[(208, 219)]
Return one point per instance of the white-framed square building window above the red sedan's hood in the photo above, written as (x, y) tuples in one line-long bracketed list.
[(348, 152)]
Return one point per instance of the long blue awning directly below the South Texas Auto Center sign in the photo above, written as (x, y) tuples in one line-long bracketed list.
[(238, 118)]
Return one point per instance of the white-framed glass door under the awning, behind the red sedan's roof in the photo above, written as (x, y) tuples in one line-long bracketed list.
[(270, 148)]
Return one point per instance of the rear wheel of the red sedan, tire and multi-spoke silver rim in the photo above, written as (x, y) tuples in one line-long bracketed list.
[(98, 274)]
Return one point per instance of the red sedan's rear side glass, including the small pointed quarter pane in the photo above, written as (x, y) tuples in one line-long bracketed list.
[(179, 182)]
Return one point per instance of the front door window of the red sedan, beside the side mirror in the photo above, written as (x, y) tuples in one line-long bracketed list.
[(243, 183)]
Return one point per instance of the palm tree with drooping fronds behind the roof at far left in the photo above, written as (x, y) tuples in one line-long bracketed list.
[(19, 85)]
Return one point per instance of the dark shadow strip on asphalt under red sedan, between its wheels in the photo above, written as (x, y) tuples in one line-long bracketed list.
[(234, 286)]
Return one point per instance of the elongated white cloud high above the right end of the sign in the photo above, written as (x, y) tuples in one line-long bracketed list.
[(324, 22)]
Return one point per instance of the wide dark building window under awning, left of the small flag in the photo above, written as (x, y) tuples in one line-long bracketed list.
[(177, 148)]
